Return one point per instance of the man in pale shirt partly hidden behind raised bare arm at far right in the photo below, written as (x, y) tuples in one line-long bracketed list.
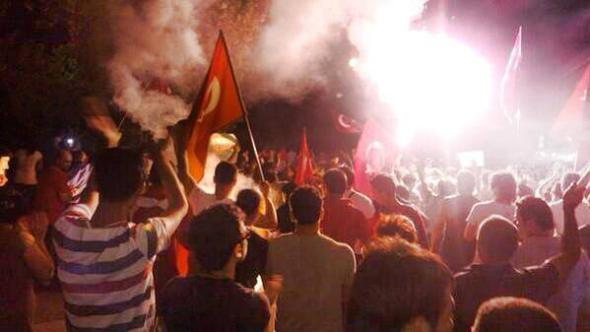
[(536, 227)]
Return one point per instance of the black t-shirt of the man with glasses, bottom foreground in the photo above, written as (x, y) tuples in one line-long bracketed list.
[(206, 304)]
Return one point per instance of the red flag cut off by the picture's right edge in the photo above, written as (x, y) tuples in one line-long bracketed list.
[(570, 116)]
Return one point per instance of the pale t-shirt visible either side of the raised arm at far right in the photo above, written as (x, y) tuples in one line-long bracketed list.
[(566, 302)]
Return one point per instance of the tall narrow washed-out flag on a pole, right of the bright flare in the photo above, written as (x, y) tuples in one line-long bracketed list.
[(509, 85)]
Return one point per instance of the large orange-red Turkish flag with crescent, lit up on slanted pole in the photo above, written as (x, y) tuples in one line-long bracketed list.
[(219, 105)]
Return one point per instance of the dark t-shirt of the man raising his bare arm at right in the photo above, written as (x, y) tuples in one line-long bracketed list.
[(480, 283)]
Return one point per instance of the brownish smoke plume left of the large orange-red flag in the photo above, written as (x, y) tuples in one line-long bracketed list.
[(157, 51)]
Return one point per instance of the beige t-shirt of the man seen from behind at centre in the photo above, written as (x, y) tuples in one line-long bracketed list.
[(315, 269)]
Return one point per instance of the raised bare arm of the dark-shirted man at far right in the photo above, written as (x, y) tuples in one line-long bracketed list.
[(570, 250)]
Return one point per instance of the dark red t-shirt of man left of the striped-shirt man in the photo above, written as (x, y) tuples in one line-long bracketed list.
[(53, 184)]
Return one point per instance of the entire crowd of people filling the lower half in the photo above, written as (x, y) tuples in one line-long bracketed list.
[(133, 243)]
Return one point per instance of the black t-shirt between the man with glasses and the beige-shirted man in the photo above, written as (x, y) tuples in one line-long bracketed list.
[(255, 262)]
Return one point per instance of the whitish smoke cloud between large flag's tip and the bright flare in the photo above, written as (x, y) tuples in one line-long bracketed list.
[(294, 45)]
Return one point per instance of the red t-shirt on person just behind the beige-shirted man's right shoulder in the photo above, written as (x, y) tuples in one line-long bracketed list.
[(344, 223)]
